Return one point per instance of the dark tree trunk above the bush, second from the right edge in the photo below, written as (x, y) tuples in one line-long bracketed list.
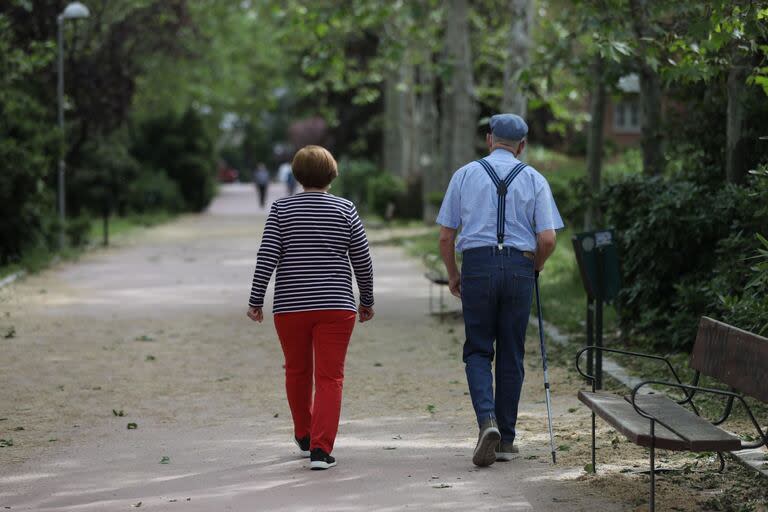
[(650, 95)]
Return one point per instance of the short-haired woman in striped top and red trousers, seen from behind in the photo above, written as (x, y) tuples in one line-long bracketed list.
[(311, 238)]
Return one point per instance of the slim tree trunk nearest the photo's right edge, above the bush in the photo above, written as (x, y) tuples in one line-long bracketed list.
[(736, 151)]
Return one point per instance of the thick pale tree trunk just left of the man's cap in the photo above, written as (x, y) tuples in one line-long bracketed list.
[(459, 112)]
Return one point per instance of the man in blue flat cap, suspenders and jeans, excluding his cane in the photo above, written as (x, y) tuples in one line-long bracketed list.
[(508, 219)]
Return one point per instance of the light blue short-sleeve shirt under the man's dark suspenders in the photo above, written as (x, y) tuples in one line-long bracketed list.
[(471, 203)]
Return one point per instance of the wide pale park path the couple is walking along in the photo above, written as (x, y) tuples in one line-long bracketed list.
[(155, 329)]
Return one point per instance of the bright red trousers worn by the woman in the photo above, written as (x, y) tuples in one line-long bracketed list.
[(319, 337)]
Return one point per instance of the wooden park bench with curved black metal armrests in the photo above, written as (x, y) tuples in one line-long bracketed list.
[(734, 357)]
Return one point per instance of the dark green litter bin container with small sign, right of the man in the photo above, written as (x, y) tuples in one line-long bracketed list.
[(598, 263)]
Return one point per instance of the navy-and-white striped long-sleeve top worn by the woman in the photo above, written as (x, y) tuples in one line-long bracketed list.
[(311, 238)]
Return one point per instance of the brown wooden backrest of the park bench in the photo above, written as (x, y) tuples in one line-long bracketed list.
[(733, 356)]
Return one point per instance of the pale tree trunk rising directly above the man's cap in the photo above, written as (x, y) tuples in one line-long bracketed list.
[(518, 57)]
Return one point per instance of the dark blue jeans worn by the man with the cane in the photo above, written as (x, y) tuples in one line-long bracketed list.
[(496, 293)]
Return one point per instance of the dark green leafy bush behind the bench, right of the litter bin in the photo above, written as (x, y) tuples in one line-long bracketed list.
[(684, 248)]
